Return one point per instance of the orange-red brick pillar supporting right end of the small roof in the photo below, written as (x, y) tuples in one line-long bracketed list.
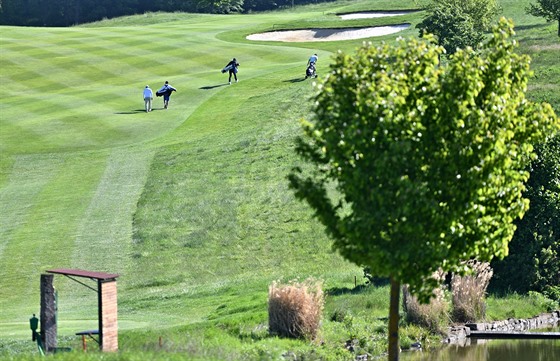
[(108, 326)]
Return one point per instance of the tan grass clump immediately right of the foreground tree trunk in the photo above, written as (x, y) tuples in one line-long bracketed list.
[(434, 315)]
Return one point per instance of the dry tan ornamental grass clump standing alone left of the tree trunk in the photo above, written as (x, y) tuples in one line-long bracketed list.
[(294, 309)]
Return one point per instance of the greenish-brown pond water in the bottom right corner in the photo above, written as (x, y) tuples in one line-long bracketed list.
[(492, 350)]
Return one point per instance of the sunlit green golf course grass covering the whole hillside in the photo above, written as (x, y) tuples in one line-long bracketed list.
[(189, 205)]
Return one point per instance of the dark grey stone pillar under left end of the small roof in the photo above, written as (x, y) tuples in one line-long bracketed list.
[(48, 312)]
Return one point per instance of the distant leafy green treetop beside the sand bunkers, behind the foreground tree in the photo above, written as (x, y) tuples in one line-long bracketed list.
[(458, 23)]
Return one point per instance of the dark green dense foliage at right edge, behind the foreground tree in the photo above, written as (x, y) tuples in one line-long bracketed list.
[(534, 250)]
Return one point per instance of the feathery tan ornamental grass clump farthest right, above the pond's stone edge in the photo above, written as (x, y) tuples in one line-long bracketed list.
[(469, 291)]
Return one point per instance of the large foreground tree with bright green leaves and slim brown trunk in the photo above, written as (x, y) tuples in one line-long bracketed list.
[(416, 165)]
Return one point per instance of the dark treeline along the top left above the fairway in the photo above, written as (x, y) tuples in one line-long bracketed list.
[(73, 12)]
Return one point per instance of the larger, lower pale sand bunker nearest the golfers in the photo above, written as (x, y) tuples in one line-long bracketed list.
[(327, 34)]
